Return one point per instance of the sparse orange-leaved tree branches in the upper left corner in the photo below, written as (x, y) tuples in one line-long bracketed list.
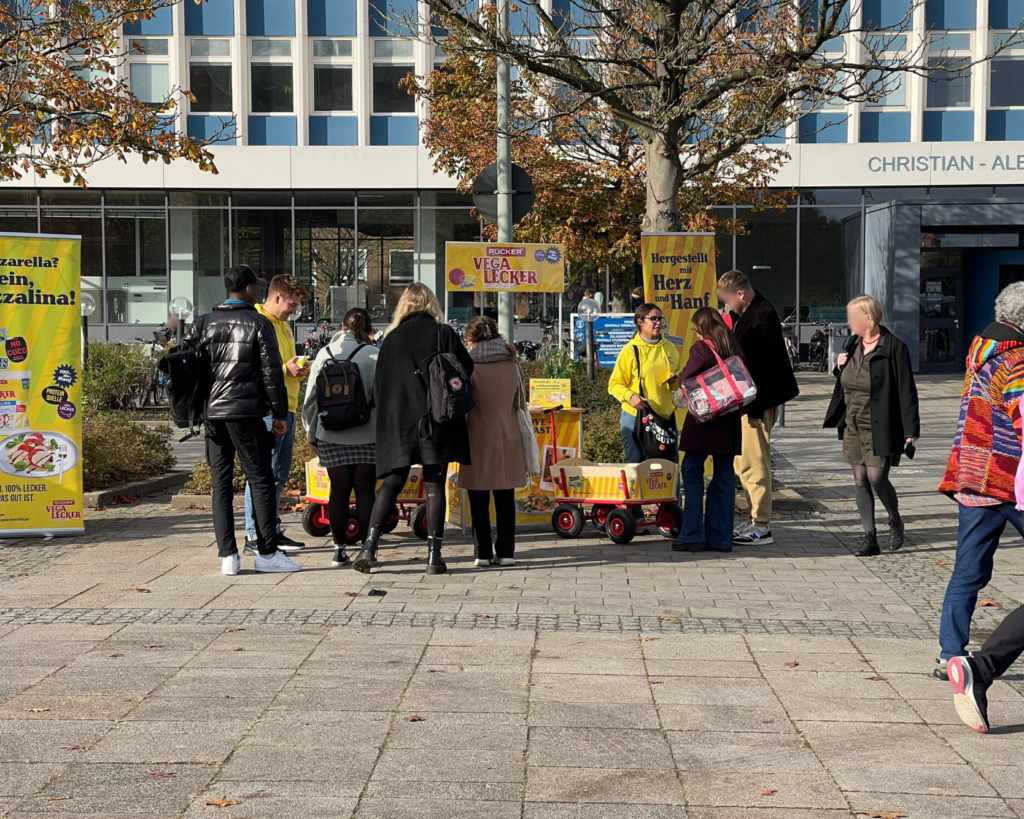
[(65, 101)]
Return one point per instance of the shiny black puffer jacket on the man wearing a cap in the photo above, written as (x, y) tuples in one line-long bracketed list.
[(246, 375)]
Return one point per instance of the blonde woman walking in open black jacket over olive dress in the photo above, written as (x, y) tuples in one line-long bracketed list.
[(875, 409)]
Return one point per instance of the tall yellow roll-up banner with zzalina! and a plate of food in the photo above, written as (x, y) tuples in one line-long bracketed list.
[(40, 385)]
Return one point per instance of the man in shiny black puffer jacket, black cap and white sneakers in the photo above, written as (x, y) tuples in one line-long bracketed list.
[(246, 384)]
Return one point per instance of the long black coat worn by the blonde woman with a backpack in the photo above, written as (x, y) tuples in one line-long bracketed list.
[(401, 397)]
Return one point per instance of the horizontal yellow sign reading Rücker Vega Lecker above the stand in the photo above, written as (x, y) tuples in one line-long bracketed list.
[(476, 267)]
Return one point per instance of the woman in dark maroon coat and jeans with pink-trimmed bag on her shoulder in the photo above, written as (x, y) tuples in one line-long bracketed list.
[(709, 529)]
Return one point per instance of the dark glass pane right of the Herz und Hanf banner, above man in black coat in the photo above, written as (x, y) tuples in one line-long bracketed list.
[(767, 253)]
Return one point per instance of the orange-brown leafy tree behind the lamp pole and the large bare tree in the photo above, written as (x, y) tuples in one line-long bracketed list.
[(588, 170)]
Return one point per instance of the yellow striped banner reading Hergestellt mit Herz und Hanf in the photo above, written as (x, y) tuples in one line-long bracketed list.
[(679, 278)]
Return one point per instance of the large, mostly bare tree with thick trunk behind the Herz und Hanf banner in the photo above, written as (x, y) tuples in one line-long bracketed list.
[(694, 87)]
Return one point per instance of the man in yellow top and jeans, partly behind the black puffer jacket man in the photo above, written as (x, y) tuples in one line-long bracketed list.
[(284, 299)]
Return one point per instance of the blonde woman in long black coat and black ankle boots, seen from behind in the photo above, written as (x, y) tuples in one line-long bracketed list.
[(404, 437)]
